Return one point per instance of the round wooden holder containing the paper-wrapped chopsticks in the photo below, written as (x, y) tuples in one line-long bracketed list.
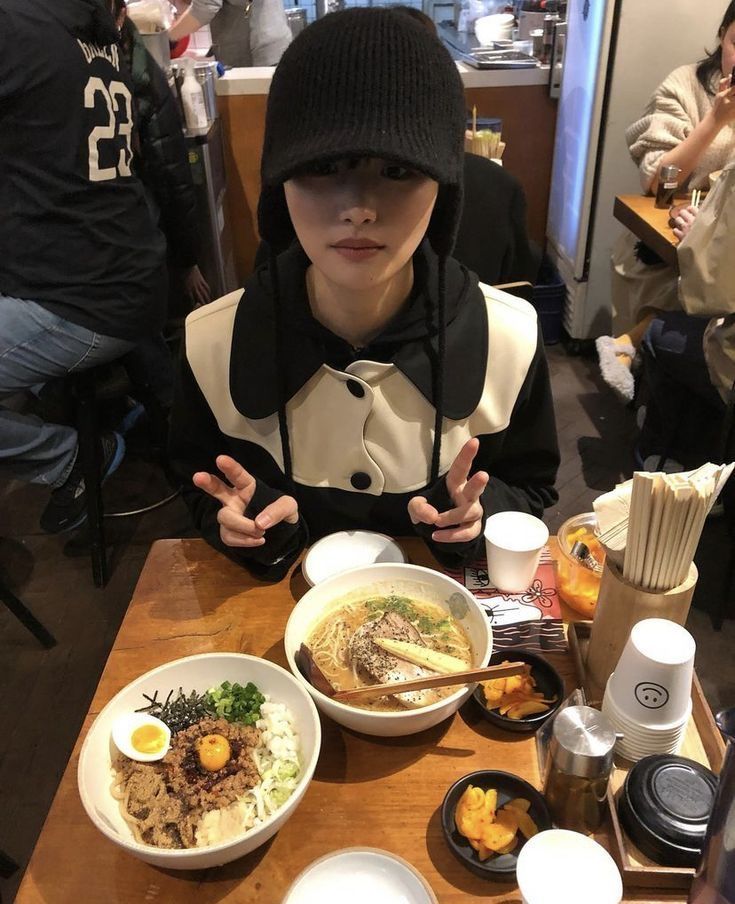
[(620, 606)]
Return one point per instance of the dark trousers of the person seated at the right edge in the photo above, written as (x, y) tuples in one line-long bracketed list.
[(684, 411)]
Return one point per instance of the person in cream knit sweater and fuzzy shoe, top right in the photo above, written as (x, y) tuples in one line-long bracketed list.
[(689, 122)]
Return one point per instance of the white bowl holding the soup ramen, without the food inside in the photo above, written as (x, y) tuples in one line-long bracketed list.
[(423, 585)]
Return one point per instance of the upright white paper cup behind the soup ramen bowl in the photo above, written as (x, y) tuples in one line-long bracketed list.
[(513, 543)]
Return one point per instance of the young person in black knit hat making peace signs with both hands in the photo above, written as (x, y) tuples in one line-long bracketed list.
[(363, 378)]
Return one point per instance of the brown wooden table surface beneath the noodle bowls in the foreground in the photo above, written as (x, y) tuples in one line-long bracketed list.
[(376, 792)]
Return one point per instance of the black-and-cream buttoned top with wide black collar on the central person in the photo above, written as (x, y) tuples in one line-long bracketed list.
[(360, 420)]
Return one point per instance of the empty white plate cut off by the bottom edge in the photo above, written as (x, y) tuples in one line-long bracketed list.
[(360, 876)]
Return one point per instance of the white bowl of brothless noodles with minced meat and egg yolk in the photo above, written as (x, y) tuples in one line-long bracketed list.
[(230, 778)]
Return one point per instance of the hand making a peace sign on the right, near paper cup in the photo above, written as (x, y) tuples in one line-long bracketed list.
[(463, 522)]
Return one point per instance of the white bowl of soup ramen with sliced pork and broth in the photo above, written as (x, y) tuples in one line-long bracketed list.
[(345, 621)]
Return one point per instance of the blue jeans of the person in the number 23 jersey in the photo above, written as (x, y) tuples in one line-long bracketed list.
[(35, 346)]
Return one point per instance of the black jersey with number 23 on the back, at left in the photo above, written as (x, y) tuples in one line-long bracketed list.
[(76, 233)]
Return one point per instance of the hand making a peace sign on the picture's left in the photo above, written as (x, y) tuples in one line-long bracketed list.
[(235, 528)]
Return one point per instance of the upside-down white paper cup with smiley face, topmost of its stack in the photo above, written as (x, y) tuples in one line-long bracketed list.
[(652, 682)]
